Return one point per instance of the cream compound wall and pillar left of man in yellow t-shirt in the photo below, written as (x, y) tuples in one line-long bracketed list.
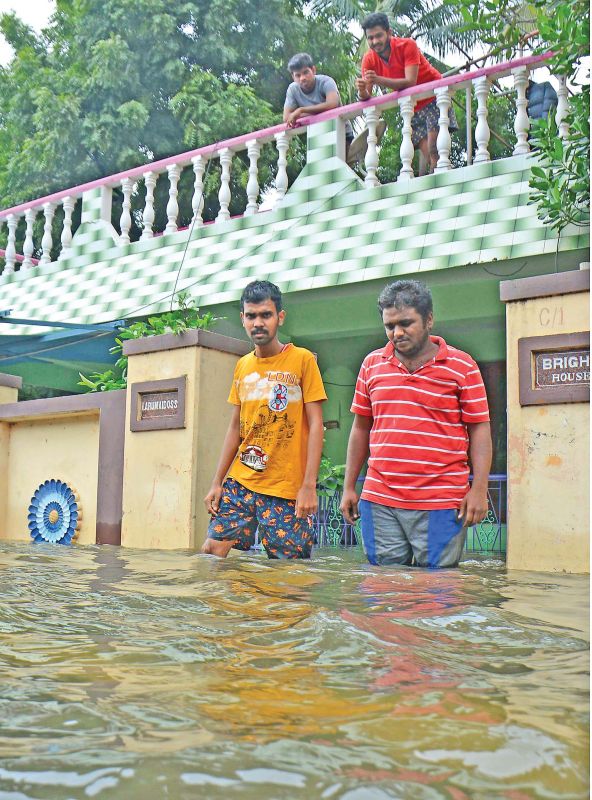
[(160, 475)]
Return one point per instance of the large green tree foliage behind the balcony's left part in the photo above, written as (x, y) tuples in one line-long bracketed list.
[(111, 85)]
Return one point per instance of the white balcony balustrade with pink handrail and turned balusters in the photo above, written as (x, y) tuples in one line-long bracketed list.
[(51, 238)]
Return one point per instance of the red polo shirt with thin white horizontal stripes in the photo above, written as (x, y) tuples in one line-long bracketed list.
[(419, 441)]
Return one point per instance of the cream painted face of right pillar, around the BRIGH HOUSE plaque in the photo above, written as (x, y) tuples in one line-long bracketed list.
[(548, 450)]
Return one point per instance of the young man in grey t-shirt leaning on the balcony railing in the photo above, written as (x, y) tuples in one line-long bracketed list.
[(310, 93)]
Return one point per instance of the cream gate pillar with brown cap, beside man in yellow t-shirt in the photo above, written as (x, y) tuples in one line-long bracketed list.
[(176, 418)]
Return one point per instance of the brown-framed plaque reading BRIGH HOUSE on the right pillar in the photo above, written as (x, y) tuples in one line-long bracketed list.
[(554, 369)]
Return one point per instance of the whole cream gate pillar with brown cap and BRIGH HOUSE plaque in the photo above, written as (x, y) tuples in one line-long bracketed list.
[(547, 319)]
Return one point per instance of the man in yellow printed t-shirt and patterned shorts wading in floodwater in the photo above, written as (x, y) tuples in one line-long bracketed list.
[(273, 445)]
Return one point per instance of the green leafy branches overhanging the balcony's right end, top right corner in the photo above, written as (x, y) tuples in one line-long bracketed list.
[(560, 180)]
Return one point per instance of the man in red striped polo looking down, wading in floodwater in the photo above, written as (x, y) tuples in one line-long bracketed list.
[(420, 413)]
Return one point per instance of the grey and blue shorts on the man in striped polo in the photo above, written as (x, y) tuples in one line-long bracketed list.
[(408, 536)]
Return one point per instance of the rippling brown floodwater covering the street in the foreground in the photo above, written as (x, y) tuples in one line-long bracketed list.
[(144, 674)]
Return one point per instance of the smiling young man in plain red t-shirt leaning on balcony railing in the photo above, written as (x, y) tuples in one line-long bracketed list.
[(393, 64)]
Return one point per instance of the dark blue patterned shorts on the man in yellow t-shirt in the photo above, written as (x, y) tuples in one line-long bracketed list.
[(242, 512)]
